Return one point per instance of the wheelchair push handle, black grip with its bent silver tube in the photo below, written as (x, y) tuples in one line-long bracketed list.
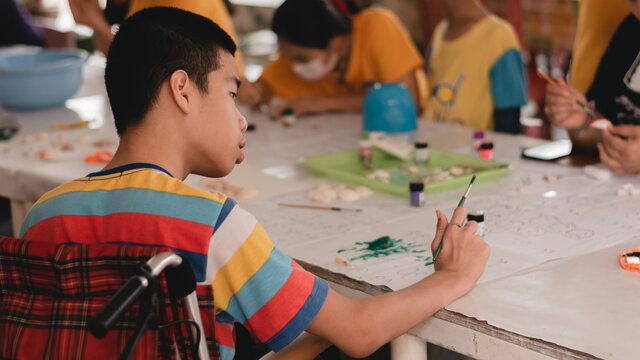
[(127, 295)]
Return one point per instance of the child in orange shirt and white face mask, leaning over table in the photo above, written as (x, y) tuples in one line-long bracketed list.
[(330, 56)]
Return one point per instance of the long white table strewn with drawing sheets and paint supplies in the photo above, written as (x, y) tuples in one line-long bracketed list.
[(567, 299)]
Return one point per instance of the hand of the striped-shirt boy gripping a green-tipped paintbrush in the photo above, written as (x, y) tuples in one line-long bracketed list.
[(464, 255)]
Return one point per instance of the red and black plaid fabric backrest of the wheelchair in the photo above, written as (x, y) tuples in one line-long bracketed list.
[(48, 292)]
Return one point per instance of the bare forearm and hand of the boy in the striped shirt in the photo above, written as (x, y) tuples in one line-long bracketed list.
[(359, 327)]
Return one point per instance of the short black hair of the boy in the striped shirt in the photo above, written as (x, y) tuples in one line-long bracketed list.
[(149, 47)]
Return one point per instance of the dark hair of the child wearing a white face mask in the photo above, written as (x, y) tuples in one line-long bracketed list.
[(310, 23)]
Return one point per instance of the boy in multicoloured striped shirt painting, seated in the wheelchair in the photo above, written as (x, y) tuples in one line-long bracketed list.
[(172, 82)]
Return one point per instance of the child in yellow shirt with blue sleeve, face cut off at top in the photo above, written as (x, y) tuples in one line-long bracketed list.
[(475, 70)]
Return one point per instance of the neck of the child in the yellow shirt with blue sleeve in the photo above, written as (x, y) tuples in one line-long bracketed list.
[(461, 15)]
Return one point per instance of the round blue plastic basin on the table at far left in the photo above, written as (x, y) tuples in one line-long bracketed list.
[(40, 78)]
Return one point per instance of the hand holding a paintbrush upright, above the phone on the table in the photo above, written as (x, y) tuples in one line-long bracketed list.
[(561, 107)]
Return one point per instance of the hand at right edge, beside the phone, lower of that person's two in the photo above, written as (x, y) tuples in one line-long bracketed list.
[(621, 156)]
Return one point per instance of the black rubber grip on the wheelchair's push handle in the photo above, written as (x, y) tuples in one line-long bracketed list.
[(121, 301)]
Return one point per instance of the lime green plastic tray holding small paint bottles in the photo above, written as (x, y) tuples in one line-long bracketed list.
[(346, 166)]
